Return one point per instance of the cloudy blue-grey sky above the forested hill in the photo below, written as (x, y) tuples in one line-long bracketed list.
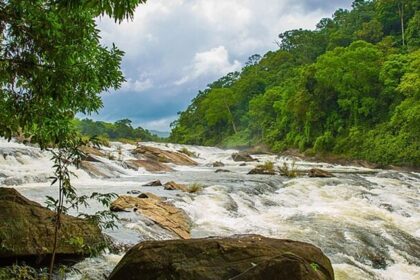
[(173, 48)]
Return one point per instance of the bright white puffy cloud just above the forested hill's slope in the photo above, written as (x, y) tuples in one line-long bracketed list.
[(212, 62)]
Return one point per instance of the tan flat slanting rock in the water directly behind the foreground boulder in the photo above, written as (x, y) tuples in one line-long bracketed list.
[(153, 207)]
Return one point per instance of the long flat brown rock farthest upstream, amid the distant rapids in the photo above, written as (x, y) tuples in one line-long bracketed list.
[(163, 156)]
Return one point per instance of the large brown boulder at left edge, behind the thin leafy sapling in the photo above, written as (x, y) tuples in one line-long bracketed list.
[(27, 230)]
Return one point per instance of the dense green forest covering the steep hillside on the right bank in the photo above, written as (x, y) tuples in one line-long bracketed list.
[(351, 88)]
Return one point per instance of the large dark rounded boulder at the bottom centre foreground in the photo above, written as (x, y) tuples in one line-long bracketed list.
[(240, 257)]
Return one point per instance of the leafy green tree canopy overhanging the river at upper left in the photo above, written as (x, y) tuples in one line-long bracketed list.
[(52, 64)]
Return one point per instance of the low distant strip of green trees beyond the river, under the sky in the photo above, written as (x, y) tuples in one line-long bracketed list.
[(121, 130)]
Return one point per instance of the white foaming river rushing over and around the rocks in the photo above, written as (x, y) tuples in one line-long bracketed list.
[(366, 221)]
